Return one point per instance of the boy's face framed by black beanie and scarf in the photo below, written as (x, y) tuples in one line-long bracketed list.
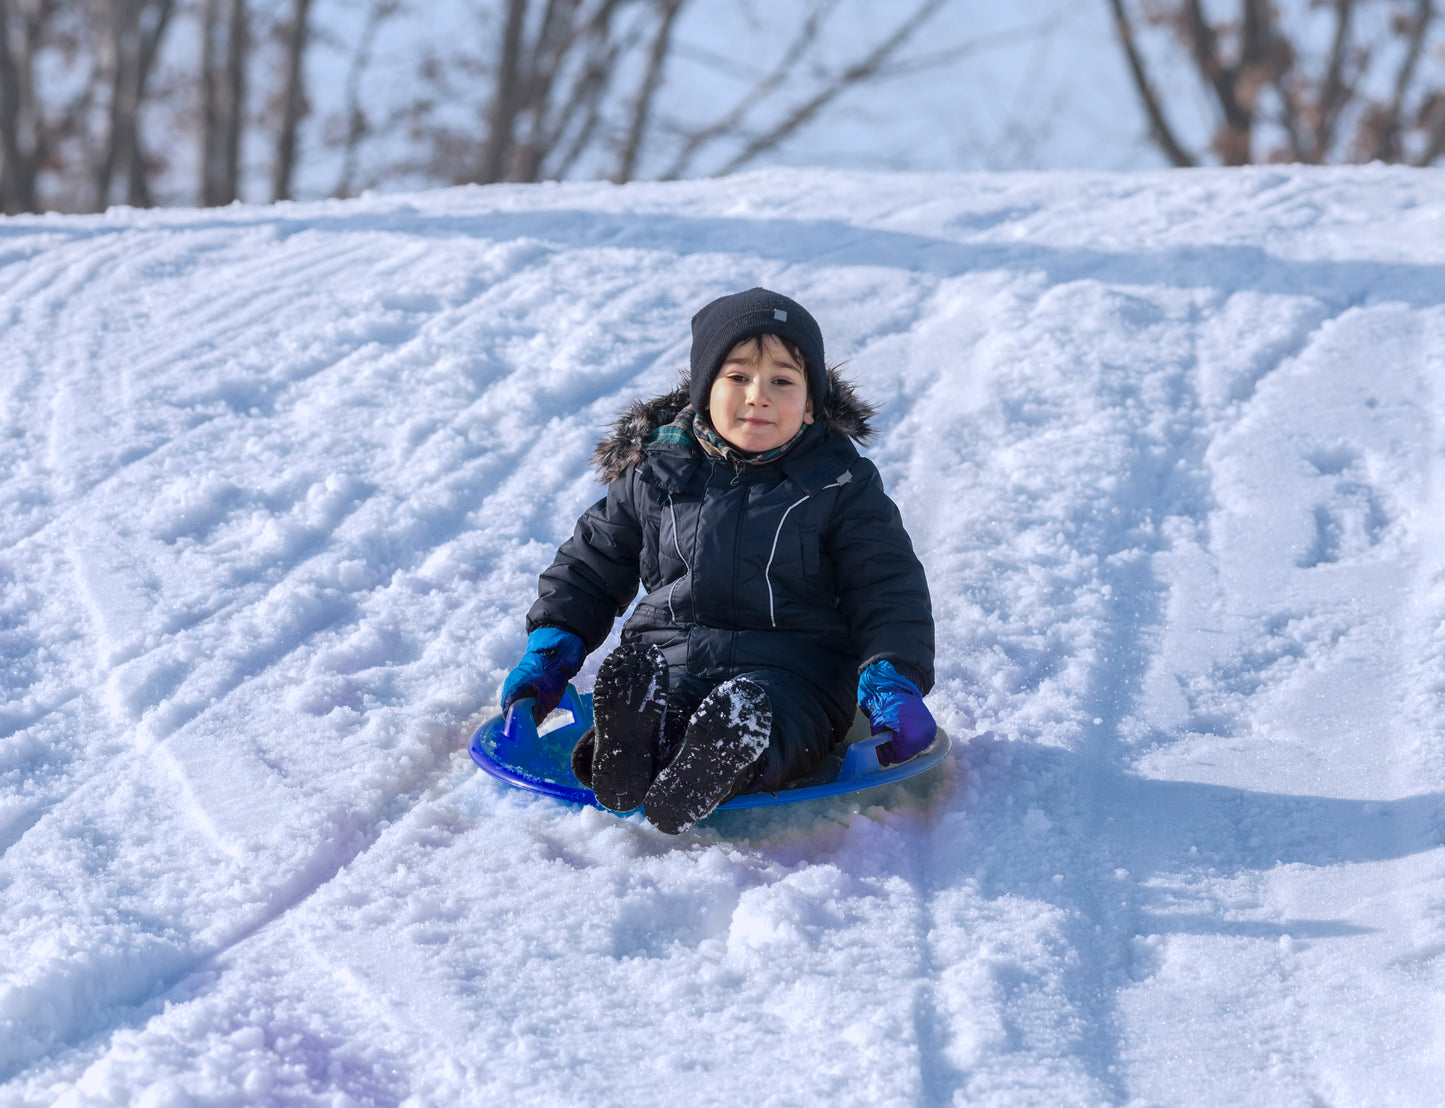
[(759, 398)]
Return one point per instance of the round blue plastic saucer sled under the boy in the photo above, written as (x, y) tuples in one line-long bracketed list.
[(514, 749)]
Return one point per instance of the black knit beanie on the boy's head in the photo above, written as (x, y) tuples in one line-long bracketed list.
[(729, 320)]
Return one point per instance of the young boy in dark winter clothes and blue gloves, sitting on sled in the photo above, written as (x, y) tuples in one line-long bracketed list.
[(781, 589)]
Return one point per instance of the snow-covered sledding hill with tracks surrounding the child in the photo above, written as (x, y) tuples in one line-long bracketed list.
[(275, 488)]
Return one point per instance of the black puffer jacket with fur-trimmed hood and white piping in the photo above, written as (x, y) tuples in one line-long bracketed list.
[(800, 566)]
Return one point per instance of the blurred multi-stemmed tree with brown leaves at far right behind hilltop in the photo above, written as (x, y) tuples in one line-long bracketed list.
[(1284, 87)]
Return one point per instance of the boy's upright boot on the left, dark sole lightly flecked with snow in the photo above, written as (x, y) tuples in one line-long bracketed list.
[(628, 707)]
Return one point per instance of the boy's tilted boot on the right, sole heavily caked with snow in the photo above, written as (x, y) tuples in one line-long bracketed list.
[(723, 743)]
